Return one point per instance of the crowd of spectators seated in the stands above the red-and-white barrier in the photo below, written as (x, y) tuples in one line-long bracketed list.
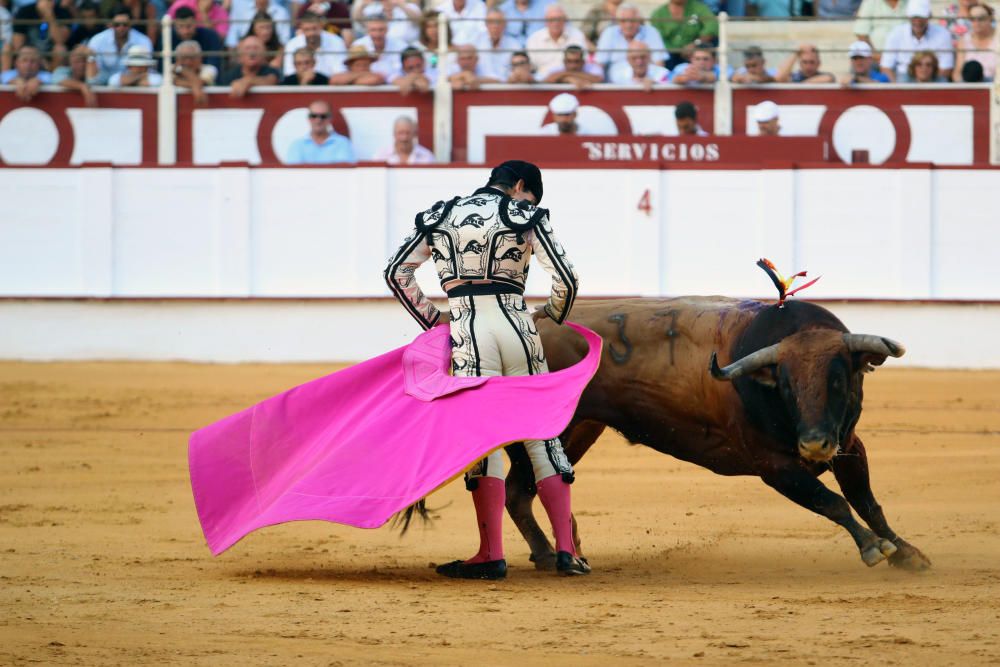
[(248, 43)]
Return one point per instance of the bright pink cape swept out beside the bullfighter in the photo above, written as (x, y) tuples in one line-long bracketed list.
[(361, 444)]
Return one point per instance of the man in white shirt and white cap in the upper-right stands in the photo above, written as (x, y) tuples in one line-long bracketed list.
[(919, 35)]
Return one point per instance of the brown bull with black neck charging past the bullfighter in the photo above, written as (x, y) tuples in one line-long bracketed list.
[(738, 387)]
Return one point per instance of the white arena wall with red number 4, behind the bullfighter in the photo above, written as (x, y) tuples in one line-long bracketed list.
[(277, 264)]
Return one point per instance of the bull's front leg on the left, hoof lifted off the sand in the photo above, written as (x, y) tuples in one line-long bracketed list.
[(798, 485)]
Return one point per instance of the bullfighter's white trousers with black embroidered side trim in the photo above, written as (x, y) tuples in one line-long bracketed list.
[(493, 334)]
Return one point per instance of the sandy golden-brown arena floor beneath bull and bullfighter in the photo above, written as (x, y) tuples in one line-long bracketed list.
[(102, 559)]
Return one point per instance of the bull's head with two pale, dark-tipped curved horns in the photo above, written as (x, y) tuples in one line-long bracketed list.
[(817, 374)]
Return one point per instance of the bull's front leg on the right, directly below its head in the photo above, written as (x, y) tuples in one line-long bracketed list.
[(851, 470)]
